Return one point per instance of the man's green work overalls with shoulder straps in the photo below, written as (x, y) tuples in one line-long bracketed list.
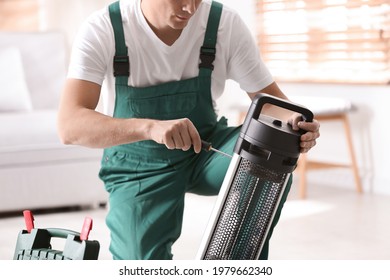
[(146, 181)]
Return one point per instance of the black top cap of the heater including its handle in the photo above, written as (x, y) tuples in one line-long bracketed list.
[(267, 140)]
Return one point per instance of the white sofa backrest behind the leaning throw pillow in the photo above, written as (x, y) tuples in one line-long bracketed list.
[(44, 56)]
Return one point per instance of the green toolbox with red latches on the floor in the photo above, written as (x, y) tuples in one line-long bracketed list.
[(34, 243)]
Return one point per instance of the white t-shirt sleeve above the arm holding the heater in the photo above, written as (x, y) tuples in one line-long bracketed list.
[(245, 65)]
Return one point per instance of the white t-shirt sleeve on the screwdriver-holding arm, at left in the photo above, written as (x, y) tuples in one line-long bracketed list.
[(91, 50)]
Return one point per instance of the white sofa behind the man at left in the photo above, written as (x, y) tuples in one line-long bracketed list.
[(36, 170)]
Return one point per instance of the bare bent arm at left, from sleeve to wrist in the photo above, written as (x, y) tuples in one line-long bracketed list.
[(79, 124)]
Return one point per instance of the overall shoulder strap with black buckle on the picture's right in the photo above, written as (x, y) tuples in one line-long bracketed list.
[(208, 51)]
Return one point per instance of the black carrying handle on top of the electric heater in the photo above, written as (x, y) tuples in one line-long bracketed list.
[(262, 98)]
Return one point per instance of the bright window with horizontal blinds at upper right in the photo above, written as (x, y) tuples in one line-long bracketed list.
[(326, 40)]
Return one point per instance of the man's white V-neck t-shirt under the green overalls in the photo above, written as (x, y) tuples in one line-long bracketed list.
[(153, 62)]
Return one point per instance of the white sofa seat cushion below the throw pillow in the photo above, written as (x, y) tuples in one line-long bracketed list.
[(31, 138)]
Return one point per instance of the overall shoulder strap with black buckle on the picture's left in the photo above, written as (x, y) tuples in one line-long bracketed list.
[(121, 58)]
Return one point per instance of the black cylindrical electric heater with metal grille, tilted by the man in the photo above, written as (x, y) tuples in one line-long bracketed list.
[(265, 154)]
